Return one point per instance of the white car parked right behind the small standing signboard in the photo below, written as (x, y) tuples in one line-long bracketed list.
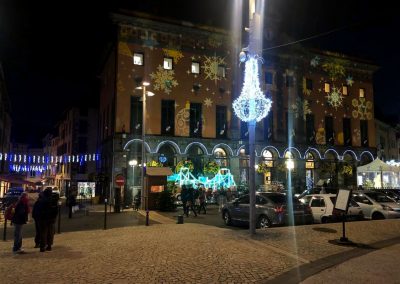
[(322, 207)]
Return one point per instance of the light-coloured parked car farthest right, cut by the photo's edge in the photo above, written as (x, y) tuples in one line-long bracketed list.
[(376, 205)]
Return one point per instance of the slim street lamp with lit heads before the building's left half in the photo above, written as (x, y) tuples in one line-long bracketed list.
[(144, 191)]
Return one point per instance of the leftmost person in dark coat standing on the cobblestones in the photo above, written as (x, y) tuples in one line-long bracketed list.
[(19, 219)]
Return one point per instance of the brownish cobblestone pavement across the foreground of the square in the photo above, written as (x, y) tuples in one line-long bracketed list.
[(188, 253)]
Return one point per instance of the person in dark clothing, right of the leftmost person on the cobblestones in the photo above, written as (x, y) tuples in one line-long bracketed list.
[(47, 212)]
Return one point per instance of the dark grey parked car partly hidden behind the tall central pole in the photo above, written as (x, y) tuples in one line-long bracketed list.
[(271, 209)]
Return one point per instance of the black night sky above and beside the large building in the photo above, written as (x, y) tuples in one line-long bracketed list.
[(51, 50)]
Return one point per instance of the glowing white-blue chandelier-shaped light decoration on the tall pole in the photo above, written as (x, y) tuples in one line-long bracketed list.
[(251, 104)]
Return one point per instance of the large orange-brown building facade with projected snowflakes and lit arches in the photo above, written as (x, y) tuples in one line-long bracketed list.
[(321, 117)]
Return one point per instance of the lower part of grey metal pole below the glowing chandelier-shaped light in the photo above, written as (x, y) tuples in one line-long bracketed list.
[(252, 190)]
